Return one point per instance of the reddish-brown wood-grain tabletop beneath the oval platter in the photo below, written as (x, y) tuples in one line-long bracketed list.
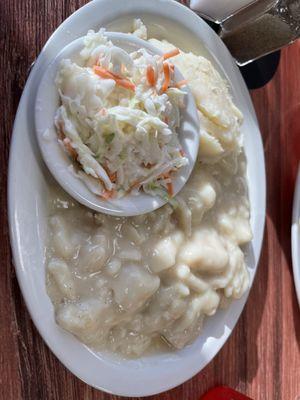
[(262, 357)]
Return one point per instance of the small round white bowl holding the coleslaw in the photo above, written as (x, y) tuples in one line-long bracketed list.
[(58, 162)]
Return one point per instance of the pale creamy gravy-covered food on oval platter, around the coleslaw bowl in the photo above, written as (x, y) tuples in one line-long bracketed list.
[(124, 284)]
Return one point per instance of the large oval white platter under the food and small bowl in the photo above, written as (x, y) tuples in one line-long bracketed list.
[(29, 183)]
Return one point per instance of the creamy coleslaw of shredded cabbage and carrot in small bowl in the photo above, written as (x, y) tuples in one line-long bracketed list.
[(118, 119)]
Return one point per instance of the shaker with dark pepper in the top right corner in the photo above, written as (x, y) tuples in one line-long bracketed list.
[(259, 28)]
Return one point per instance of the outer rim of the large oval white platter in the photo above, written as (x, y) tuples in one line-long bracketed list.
[(121, 388)]
